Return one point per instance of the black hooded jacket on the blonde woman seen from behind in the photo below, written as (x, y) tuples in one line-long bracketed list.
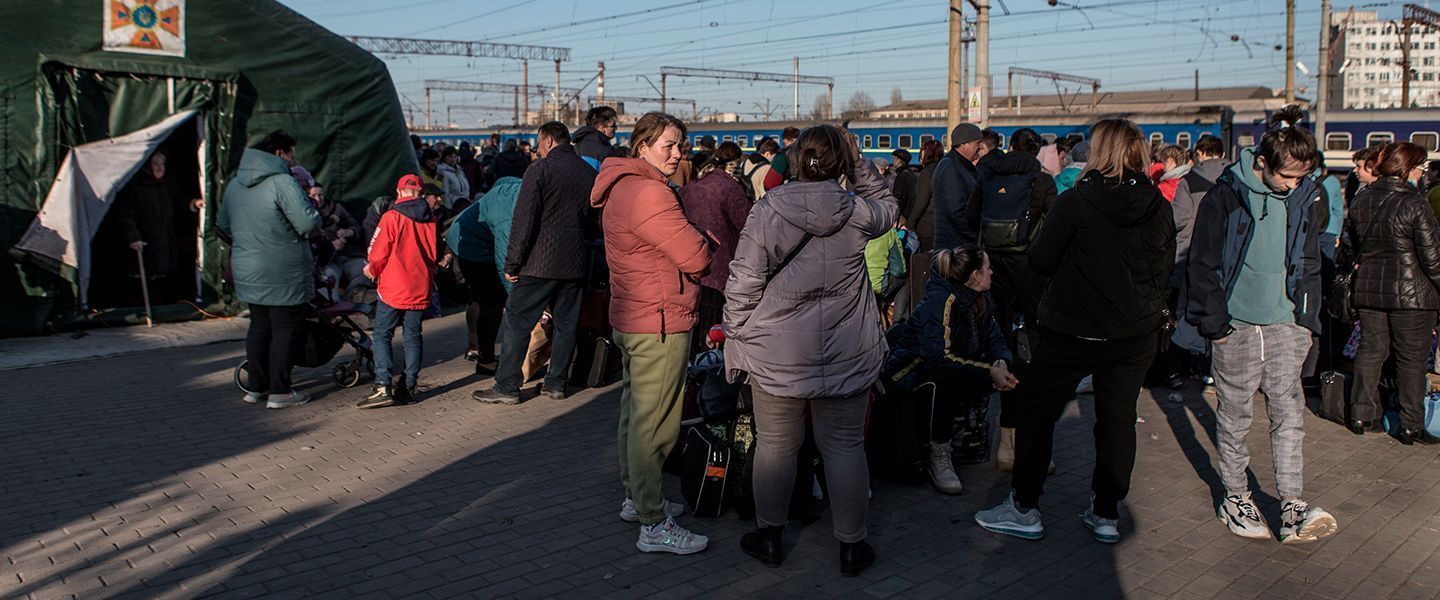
[(1110, 248)]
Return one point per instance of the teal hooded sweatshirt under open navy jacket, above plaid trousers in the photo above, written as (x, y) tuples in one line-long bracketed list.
[(1261, 296)]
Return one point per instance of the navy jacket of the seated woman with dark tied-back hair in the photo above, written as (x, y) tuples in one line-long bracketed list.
[(945, 333)]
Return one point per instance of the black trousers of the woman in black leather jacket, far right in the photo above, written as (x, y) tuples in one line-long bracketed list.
[(1406, 336)]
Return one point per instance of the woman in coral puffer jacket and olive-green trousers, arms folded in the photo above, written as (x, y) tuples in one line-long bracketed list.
[(656, 260)]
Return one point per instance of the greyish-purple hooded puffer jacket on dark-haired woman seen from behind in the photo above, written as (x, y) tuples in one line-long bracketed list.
[(811, 330)]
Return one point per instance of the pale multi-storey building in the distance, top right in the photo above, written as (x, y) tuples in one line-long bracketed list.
[(1367, 58)]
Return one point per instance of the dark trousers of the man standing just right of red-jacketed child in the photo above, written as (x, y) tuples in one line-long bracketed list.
[(528, 301)]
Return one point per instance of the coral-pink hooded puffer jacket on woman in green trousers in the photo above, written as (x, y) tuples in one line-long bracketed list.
[(654, 254)]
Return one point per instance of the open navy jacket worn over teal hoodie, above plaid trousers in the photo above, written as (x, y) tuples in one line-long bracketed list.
[(1225, 228)]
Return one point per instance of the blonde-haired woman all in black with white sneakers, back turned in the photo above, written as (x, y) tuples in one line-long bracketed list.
[(1108, 247)]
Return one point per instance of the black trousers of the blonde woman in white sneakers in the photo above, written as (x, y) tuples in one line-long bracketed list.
[(1120, 371)]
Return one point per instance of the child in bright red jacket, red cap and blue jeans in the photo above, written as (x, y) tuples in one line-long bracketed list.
[(402, 260)]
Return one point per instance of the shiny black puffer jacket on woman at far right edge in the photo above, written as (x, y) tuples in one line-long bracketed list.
[(1399, 248)]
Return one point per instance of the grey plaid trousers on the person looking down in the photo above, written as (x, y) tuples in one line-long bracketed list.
[(1266, 359)]
